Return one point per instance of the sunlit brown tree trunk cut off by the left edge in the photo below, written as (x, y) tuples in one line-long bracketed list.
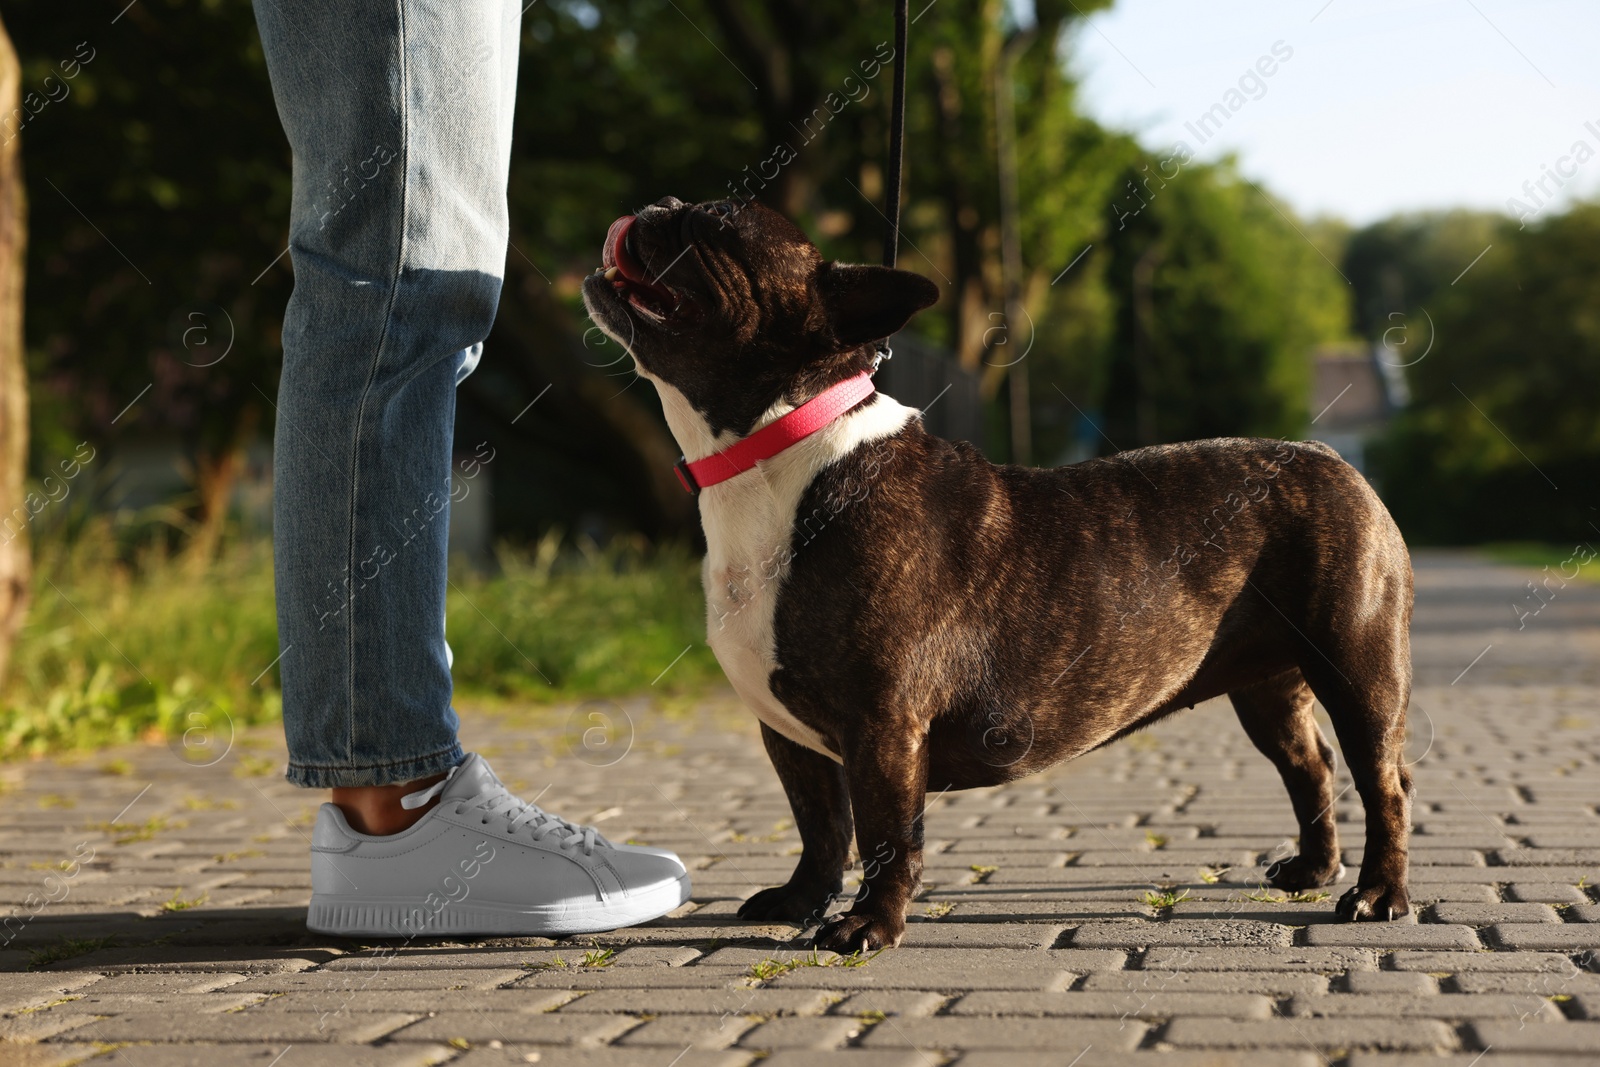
[(15, 564)]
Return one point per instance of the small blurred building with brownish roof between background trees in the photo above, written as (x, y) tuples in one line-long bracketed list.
[(1356, 391)]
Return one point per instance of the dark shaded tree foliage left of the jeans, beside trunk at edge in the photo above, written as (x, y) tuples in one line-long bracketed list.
[(159, 196)]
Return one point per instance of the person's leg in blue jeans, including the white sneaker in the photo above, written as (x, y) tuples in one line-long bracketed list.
[(401, 124)]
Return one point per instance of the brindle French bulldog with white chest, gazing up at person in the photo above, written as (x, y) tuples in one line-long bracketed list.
[(906, 617)]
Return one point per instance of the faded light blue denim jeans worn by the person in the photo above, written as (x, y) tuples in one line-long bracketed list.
[(399, 119)]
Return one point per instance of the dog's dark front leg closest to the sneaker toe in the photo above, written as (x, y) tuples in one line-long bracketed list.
[(820, 802)]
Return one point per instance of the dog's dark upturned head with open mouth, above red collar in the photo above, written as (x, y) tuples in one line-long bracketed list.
[(732, 306)]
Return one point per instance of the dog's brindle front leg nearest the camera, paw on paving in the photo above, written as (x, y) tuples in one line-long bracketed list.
[(889, 781)]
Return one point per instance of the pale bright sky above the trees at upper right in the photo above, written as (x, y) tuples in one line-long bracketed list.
[(1383, 106)]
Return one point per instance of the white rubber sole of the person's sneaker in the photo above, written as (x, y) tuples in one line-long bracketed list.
[(394, 919)]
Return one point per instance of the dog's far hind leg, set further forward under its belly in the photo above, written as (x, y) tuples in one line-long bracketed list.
[(1278, 716)]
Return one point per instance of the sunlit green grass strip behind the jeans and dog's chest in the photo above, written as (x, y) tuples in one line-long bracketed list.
[(130, 645)]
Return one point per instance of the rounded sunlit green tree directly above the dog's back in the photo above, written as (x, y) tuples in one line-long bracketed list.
[(1218, 300)]
